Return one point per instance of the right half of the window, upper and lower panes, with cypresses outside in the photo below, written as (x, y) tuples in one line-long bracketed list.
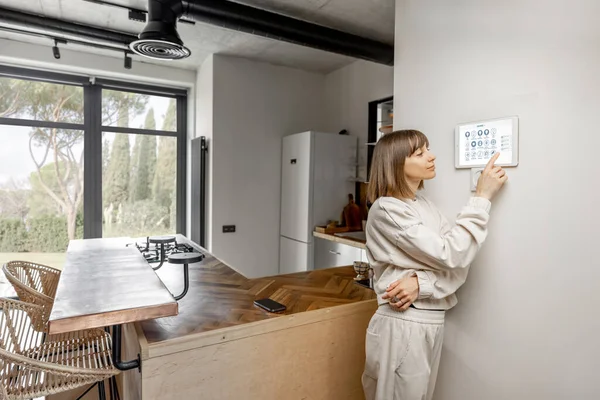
[(139, 171)]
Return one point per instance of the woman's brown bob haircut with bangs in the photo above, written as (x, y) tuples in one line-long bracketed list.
[(387, 166)]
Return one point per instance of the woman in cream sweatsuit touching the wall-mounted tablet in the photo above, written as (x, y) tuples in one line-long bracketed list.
[(418, 261)]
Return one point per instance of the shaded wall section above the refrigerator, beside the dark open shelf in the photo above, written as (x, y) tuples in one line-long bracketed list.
[(348, 92)]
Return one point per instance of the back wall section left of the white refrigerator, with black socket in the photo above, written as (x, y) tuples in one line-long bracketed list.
[(254, 106)]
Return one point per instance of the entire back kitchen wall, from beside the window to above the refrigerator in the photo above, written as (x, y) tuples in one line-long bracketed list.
[(248, 107)]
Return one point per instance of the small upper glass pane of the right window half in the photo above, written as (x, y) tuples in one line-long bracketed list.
[(131, 110)]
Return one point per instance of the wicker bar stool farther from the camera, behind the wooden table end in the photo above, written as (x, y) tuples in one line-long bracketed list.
[(34, 283)]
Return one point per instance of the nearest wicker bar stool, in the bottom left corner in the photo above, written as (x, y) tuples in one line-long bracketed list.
[(32, 367)]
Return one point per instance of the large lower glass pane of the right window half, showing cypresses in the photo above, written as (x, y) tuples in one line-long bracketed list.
[(139, 174)]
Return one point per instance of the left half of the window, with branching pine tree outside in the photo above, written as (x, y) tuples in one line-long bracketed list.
[(41, 169)]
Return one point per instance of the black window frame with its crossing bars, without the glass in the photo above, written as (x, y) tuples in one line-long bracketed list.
[(93, 129)]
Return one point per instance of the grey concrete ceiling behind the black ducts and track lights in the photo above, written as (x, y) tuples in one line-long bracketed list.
[(373, 19)]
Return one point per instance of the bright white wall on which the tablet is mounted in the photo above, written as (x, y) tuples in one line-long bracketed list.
[(526, 326)]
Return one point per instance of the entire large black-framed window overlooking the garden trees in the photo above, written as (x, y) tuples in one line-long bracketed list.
[(86, 160)]
